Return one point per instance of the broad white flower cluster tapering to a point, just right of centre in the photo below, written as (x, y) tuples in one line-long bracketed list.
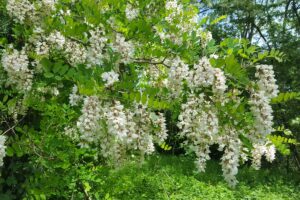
[(198, 122)]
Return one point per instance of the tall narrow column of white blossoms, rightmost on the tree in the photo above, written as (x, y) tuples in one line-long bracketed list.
[(262, 111)]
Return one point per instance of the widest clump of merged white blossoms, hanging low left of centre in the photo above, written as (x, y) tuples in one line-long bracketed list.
[(118, 130)]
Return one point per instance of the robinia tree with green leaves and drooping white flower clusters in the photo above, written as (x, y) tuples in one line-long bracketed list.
[(98, 76)]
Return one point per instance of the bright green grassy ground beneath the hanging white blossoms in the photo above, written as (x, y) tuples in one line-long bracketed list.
[(170, 177)]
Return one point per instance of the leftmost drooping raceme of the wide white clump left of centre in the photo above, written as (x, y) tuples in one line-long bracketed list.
[(88, 121)]
